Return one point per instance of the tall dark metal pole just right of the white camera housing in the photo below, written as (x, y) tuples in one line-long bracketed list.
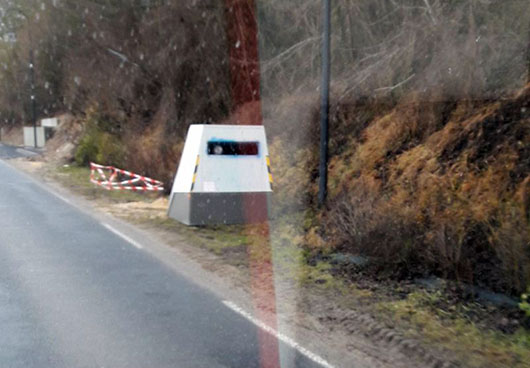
[(324, 104)]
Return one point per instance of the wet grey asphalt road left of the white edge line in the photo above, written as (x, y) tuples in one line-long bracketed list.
[(74, 294)]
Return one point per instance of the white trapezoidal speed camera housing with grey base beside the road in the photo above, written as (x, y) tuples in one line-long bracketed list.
[(223, 177)]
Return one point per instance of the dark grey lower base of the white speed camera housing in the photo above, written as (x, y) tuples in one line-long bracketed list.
[(220, 208)]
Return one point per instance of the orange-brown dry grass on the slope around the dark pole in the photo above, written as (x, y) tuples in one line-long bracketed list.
[(426, 187)]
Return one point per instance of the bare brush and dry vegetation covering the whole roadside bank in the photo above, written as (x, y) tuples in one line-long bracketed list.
[(430, 152)]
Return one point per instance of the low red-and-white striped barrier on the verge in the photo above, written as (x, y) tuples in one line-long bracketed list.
[(112, 178)]
